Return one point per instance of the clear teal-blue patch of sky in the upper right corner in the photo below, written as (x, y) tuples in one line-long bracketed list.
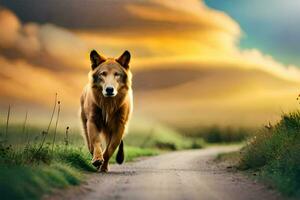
[(269, 25)]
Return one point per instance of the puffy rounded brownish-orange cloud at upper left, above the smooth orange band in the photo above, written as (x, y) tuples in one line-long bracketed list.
[(45, 44)]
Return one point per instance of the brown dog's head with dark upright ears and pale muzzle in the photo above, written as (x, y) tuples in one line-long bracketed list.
[(110, 74)]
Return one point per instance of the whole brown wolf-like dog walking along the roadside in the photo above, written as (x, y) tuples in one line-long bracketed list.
[(105, 115)]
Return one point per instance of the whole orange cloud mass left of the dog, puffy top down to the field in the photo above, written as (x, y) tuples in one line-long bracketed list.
[(39, 60)]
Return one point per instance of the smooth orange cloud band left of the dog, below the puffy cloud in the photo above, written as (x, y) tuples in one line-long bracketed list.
[(21, 81)]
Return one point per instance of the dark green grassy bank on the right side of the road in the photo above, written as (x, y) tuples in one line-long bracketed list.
[(275, 153)]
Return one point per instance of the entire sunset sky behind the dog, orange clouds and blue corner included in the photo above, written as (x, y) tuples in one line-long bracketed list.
[(194, 62)]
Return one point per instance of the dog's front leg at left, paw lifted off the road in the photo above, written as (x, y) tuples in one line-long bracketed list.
[(95, 143)]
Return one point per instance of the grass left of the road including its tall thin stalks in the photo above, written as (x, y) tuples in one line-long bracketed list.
[(35, 160)]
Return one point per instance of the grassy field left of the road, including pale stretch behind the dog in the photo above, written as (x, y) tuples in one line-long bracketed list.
[(34, 160)]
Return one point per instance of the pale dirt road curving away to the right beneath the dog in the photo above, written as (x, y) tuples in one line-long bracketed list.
[(182, 175)]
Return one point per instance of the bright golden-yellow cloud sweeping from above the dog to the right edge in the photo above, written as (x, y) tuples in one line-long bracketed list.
[(176, 31)]
